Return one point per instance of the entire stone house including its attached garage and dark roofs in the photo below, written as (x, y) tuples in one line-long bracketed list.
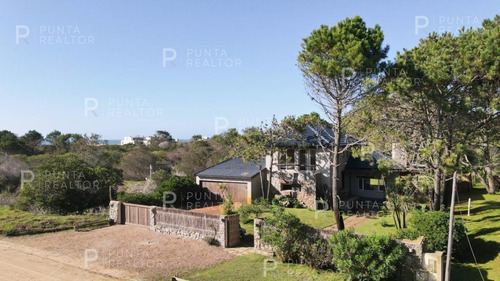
[(301, 169)]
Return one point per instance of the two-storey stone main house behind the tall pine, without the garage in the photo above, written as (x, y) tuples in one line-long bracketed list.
[(302, 169)]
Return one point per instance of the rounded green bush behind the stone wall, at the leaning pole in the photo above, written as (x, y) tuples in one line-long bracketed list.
[(433, 225)]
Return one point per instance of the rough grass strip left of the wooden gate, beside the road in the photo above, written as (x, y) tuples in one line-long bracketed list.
[(15, 222)]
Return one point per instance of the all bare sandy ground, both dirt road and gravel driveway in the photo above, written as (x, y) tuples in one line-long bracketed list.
[(116, 252)]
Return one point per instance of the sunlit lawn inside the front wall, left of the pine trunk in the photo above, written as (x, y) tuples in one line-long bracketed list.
[(307, 216)]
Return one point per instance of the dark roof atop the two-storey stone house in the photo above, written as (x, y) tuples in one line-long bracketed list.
[(319, 136)]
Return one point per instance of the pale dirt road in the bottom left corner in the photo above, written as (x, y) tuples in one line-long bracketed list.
[(16, 264)]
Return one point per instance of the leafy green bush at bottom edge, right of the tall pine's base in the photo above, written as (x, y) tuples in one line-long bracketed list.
[(369, 258)]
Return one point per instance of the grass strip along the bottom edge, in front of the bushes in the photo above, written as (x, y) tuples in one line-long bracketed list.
[(251, 267)]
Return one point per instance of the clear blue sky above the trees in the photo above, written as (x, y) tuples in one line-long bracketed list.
[(126, 68)]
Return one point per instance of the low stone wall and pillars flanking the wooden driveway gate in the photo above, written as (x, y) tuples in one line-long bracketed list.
[(186, 224)]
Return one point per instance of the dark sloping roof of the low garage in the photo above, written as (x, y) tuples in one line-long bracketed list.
[(235, 168)]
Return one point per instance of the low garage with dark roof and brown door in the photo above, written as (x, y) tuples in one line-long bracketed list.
[(242, 179)]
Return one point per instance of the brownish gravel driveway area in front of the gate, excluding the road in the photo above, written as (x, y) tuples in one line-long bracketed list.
[(124, 251)]
